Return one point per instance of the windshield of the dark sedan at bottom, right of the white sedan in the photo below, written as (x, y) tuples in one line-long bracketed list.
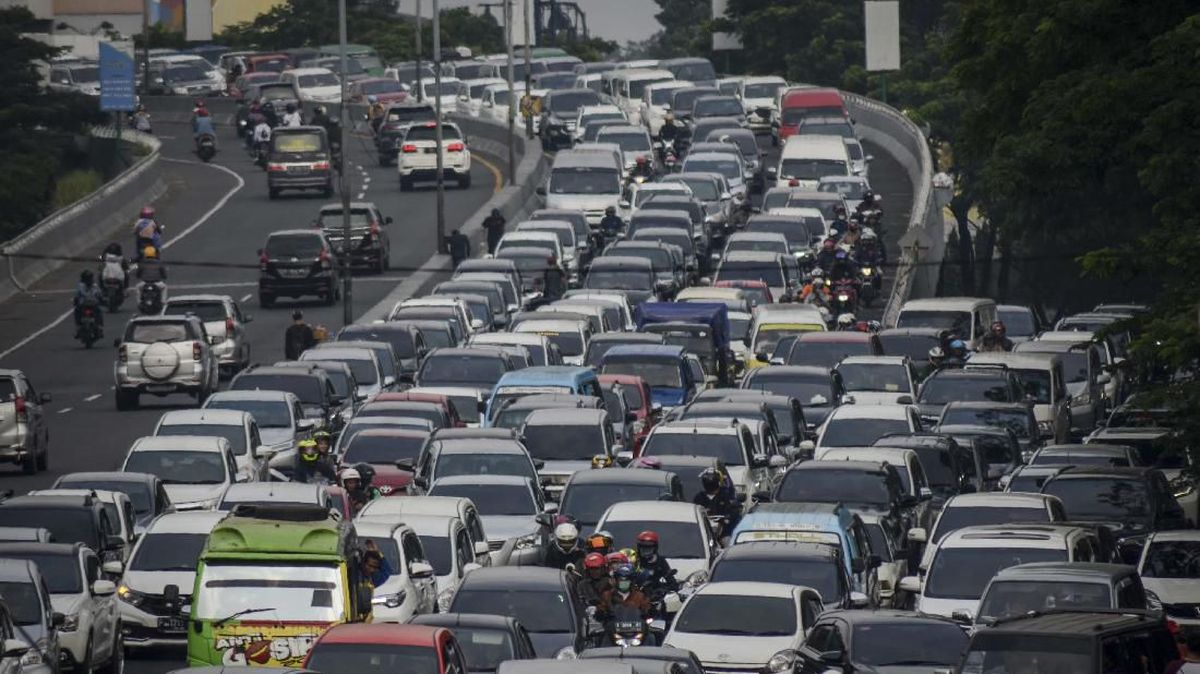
[(901, 643)]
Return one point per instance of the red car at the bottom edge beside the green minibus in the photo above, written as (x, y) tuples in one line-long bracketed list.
[(386, 648)]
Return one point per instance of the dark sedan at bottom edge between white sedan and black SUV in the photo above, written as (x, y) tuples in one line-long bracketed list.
[(880, 641)]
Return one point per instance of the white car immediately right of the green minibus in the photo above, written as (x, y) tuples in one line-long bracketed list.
[(412, 588)]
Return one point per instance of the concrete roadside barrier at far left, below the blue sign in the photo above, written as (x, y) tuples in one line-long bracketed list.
[(79, 230)]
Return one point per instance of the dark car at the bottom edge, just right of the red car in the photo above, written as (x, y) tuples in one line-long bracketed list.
[(487, 641)]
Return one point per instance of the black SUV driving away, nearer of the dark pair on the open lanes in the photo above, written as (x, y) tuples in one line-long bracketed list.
[(296, 263)]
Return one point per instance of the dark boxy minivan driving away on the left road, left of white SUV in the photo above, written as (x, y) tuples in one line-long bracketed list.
[(299, 159)]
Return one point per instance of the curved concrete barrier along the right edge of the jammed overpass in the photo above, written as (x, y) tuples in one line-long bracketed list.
[(923, 244)]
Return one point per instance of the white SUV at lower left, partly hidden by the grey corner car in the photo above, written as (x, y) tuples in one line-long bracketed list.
[(91, 634)]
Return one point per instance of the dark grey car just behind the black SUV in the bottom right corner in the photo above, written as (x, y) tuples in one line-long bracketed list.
[(1049, 586)]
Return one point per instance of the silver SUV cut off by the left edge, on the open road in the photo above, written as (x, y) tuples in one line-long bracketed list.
[(25, 434)]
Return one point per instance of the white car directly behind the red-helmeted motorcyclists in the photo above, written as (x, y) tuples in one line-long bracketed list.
[(686, 539)]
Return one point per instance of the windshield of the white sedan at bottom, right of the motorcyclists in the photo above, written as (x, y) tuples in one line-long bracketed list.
[(743, 616)]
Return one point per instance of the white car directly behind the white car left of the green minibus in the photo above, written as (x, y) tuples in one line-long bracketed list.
[(195, 471)]
